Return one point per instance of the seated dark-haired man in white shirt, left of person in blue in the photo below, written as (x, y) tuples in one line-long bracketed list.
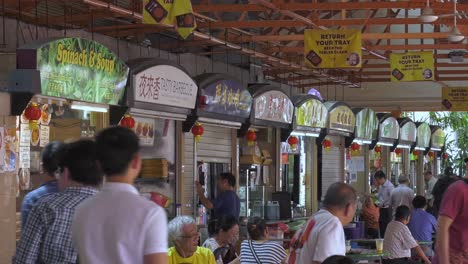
[(398, 240)]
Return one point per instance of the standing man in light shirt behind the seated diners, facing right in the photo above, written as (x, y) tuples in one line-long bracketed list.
[(385, 193)]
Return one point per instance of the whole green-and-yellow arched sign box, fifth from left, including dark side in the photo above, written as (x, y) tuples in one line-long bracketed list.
[(310, 116)]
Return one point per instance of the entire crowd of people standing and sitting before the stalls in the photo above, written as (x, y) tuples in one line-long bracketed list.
[(90, 212)]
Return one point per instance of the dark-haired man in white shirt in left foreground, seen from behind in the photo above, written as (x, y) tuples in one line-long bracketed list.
[(118, 226)]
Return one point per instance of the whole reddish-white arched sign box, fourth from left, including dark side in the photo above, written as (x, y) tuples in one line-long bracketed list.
[(271, 108)]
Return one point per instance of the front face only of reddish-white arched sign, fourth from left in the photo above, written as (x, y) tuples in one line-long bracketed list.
[(274, 106)]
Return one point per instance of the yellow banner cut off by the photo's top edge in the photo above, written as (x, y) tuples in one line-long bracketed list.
[(177, 13)]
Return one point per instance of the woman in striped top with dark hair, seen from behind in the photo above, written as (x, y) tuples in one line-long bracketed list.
[(259, 249)]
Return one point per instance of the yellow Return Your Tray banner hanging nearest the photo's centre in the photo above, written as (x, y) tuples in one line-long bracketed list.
[(333, 48)]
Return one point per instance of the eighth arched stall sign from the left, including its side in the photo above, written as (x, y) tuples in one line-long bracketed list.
[(389, 131)]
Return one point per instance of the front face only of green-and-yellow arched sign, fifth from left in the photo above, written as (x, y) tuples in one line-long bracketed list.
[(311, 113)]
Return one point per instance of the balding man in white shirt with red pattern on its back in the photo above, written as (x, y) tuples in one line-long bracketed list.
[(323, 234)]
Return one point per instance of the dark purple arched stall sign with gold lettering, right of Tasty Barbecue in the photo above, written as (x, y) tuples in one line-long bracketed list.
[(222, 101)]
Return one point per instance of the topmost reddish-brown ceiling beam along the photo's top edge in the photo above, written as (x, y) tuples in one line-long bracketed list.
[(205, 8)]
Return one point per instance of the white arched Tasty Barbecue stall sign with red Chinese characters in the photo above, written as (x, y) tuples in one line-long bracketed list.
[(160, 88)]
